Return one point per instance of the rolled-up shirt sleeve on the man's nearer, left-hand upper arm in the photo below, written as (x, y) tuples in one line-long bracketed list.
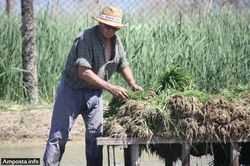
[(84, 57)]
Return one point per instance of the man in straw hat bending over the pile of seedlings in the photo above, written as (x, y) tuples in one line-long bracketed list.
[(95, 55)]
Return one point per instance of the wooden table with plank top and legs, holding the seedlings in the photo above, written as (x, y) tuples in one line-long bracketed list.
[(132, 151)]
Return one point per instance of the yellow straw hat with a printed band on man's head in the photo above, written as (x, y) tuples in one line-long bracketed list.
[(111, 16)]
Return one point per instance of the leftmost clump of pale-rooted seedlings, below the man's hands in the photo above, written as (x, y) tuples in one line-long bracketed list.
[(141, 119)]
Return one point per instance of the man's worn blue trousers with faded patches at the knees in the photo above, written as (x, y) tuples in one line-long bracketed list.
[(69, 103)]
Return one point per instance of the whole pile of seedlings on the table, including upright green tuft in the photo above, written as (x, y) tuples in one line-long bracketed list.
[(174, 110)]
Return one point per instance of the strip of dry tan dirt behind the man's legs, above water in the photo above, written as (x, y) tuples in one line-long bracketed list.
[(31, 123)]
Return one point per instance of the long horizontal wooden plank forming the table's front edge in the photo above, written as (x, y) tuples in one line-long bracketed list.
[(159, 140)]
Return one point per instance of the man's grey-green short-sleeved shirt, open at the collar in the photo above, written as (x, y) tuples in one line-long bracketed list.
[(88, 51)]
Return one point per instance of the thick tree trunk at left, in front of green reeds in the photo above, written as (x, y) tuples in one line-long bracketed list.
[(30, 81)]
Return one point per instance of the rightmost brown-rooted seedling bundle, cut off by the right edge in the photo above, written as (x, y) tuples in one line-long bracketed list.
[(229, 119)]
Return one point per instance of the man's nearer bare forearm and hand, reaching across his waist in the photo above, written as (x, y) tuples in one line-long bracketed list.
[(94, 80)]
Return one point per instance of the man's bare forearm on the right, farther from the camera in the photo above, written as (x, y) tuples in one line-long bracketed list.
[(127, 74)]
